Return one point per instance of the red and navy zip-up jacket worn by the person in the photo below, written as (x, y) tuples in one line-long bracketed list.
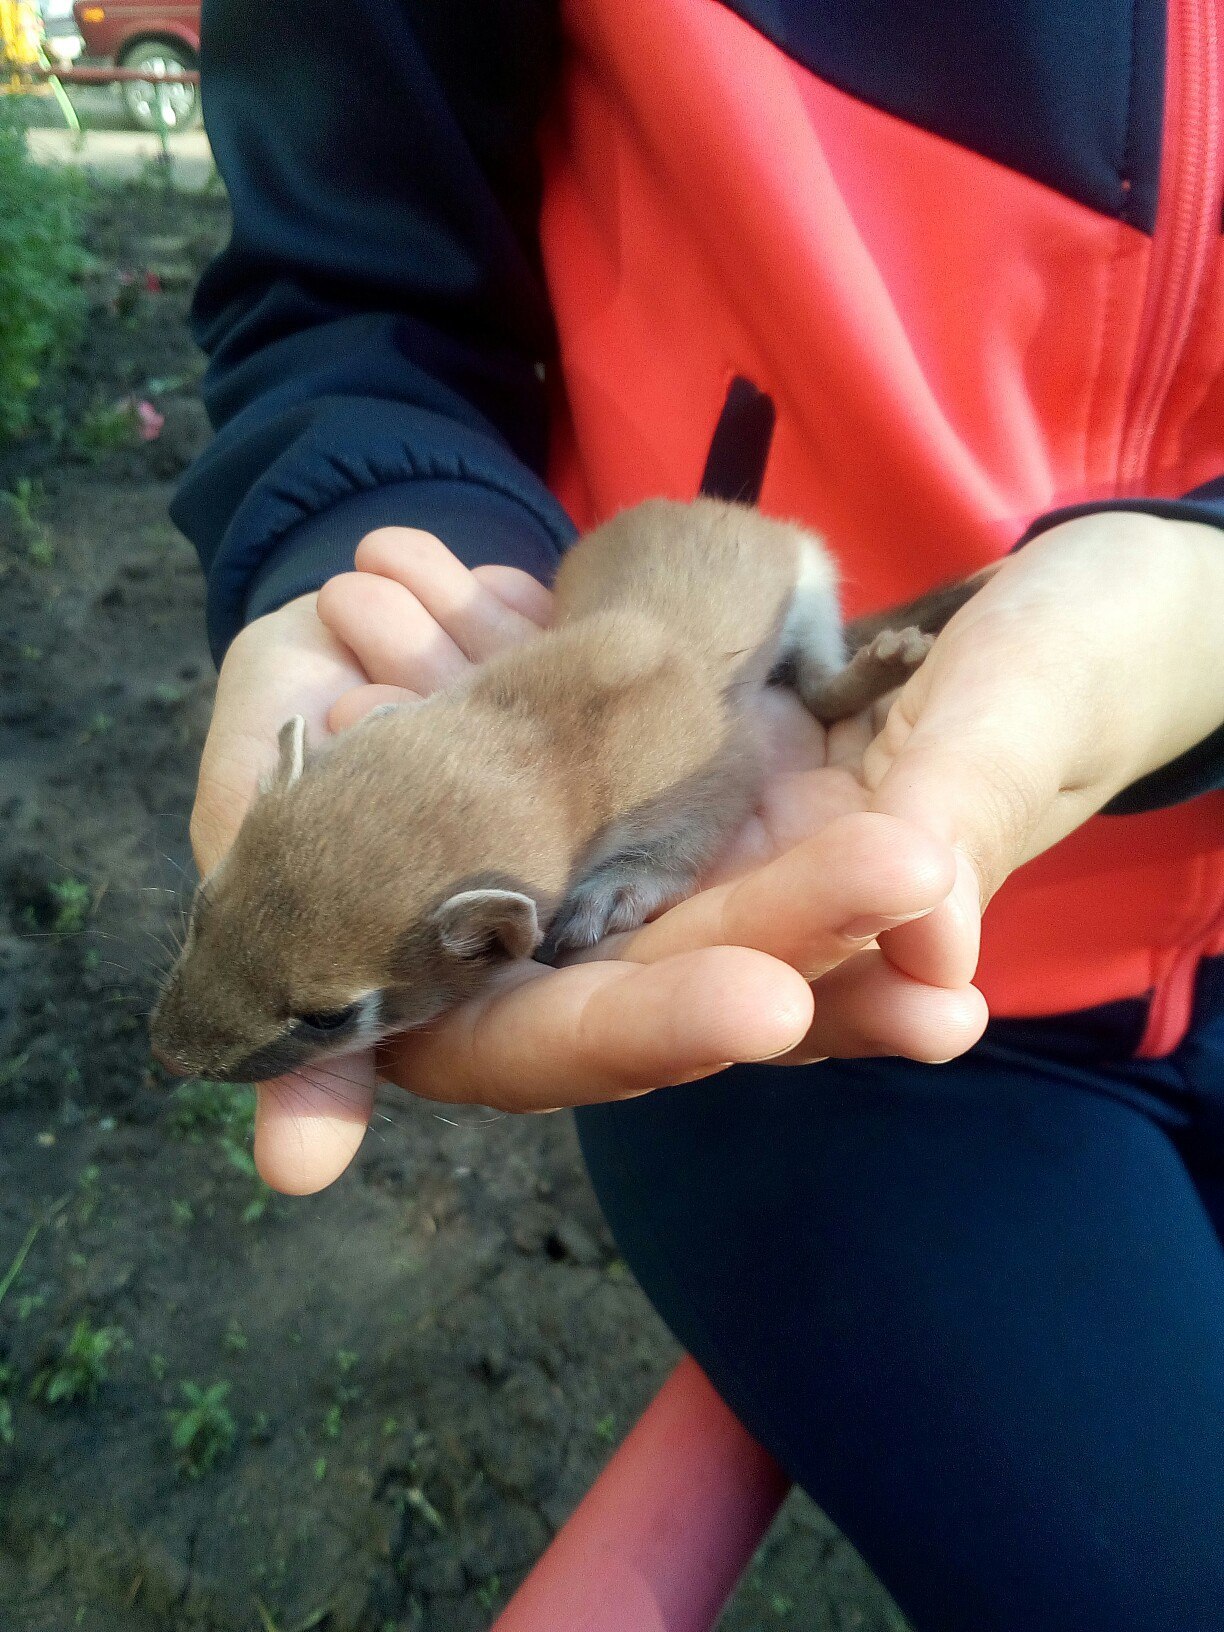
[(973, 255)]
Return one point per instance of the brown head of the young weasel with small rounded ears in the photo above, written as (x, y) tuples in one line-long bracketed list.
[(339, 916)]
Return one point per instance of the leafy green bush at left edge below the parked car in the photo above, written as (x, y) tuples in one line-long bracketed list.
[(42, 264)]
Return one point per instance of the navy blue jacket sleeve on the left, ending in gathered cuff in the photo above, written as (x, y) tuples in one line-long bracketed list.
[(378, 329)]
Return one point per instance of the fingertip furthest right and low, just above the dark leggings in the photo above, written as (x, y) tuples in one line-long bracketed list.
[(869, 1009)]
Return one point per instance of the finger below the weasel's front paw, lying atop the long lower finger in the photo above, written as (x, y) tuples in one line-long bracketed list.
[(818, 903)]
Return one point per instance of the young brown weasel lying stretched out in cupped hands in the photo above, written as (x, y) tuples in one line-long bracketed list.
[(562, 791)]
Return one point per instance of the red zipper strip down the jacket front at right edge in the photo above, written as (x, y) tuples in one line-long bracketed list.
[(1184, 241)]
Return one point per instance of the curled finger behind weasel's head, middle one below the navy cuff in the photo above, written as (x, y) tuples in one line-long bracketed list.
[(394, 637)]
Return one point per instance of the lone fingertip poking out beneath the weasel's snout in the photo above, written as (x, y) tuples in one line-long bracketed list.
[(311, 1125)]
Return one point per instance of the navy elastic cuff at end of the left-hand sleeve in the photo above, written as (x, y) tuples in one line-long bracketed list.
[(479, 525)]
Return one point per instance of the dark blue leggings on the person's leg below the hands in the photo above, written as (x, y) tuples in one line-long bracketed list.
[(975, 1310)]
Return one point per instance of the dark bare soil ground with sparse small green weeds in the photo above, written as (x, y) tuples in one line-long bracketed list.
[(424, 1368)]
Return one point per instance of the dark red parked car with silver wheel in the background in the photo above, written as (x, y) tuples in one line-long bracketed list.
[(154, 35)]
